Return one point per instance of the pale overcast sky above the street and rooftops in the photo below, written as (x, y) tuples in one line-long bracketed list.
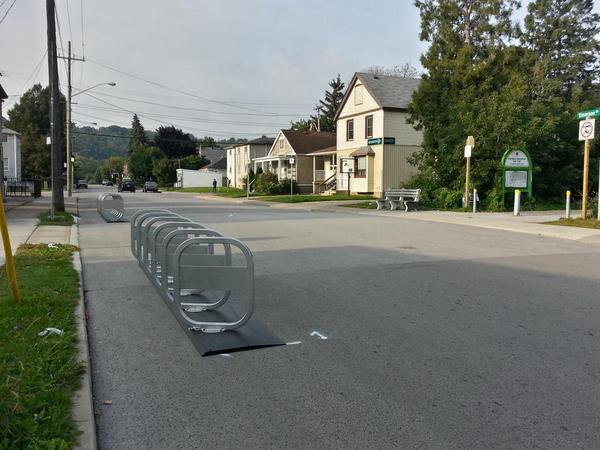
[(244, 67)]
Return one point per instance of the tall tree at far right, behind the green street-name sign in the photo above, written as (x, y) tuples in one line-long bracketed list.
[(562, 44)]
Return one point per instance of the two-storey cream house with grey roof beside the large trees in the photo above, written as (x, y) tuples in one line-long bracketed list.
[(373, 138)]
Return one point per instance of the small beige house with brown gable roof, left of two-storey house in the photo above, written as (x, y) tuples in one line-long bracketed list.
[(291, 156)]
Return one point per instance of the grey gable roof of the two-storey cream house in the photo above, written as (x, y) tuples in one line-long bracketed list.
[(389, 92)]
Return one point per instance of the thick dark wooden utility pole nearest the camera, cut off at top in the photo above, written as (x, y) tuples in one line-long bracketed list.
[(58, 200)]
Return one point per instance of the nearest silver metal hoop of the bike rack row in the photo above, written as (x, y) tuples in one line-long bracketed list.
[(213, 272)]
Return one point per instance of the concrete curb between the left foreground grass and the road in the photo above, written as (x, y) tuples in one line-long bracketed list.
[(83, 405)]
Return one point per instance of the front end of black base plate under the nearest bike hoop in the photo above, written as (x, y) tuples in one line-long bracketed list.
[(250, 336)]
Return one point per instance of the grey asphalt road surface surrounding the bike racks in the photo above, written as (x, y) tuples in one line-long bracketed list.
[(438, 336)]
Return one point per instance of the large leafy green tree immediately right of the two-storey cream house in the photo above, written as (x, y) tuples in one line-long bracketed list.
[(474, 85)]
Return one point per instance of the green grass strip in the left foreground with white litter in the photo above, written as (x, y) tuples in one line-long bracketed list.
[(38, 375)]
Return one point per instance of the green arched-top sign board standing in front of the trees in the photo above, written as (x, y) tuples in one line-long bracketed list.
[(516, 175)]
